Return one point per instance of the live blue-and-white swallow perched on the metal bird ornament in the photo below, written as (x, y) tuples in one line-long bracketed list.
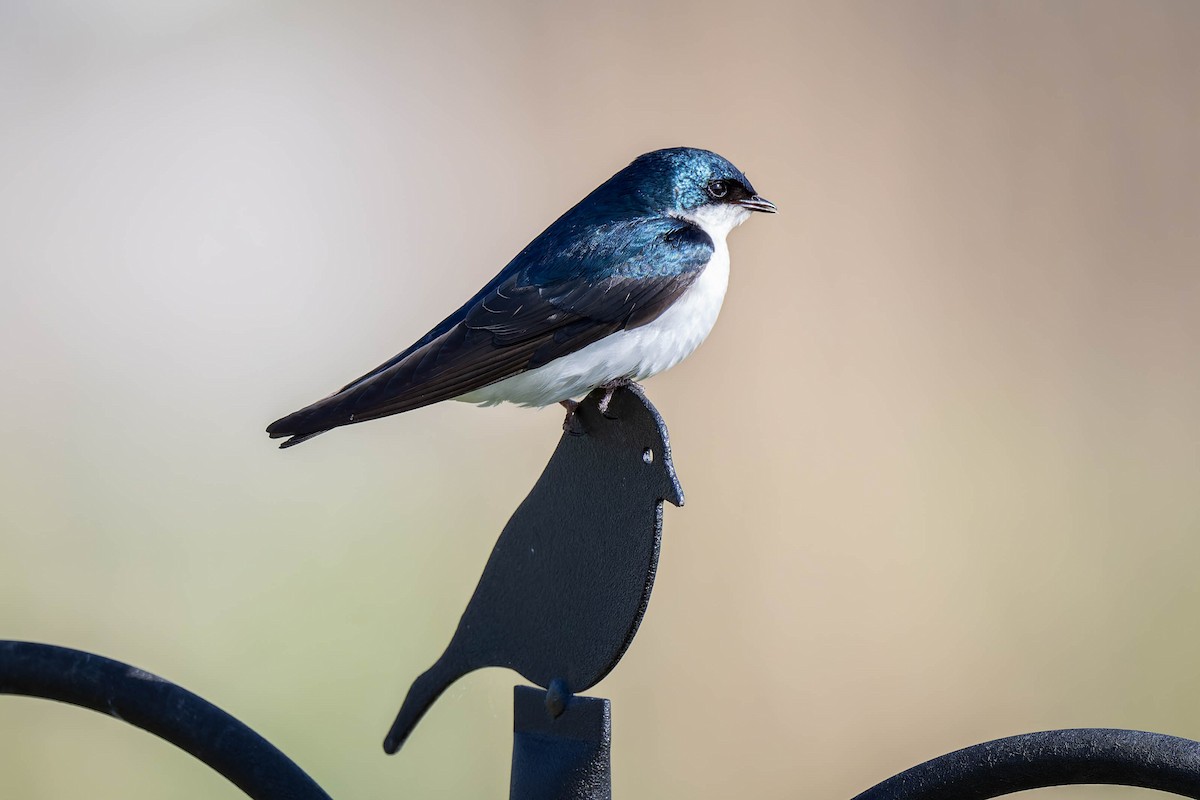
[(623, 286)]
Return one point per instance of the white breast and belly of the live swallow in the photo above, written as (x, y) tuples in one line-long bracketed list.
[(639, 353)]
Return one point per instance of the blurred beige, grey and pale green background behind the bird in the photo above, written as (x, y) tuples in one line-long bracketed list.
[(941, 453)]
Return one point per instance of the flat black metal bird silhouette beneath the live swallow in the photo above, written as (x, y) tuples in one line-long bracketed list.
[(571, 576)]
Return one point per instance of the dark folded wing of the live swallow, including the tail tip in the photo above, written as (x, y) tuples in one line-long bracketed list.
[(526, 318)]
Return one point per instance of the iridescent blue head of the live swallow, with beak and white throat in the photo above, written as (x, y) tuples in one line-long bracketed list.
[(695, 185)]
